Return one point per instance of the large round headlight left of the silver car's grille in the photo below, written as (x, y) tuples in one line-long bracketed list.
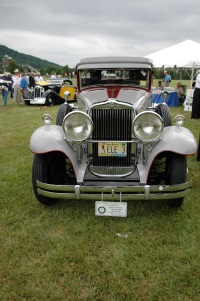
[(77, 126)]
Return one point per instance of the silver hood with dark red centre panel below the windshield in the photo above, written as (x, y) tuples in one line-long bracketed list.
[(127, 95)]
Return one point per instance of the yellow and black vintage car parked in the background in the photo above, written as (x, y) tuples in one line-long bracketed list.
[(50, 92)]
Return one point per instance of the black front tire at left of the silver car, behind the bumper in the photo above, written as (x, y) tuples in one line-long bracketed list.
[(48, 168)]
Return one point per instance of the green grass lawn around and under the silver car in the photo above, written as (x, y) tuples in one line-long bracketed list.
[(65, 252)]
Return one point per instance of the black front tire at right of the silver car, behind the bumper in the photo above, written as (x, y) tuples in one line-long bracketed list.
[(176, 173)]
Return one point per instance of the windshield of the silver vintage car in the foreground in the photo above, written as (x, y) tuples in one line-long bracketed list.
[(119, 77)]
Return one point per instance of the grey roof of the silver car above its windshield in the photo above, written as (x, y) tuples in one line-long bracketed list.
[(113, 62)]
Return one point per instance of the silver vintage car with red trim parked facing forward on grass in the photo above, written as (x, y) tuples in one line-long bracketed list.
[(114, 146)]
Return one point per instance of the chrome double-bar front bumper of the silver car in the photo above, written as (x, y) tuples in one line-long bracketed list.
[(110, 193)]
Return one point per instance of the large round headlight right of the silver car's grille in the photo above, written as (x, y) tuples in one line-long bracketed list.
[(147, 126)]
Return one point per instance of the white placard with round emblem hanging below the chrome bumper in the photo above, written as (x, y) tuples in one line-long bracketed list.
[(118, 209)]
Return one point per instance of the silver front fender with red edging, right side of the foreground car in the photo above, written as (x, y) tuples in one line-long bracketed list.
[(174, 139)]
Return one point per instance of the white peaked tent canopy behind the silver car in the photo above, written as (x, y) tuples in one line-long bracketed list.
[(181, 55)]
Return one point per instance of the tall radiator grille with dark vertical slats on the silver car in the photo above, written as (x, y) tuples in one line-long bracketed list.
[(111, 124)]
